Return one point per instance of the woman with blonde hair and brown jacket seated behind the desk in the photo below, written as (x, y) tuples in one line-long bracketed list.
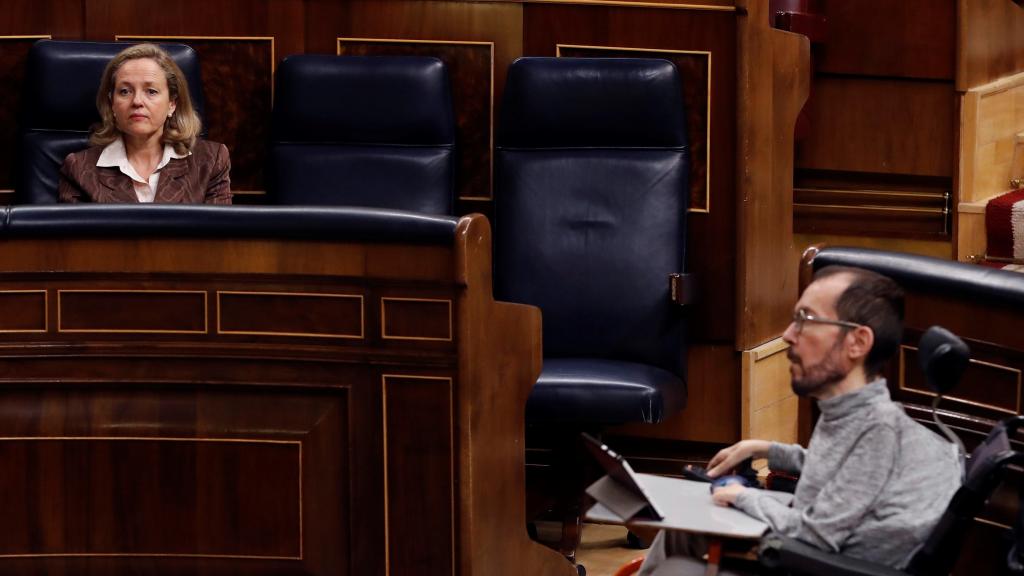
[(146, 148)]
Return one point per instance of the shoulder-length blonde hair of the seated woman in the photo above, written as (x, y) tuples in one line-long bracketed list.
[(181, 130)]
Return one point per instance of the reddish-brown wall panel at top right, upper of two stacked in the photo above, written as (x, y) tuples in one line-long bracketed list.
[(908, 39)]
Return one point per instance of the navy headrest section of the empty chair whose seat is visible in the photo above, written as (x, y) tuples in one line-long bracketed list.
[(593, 103)]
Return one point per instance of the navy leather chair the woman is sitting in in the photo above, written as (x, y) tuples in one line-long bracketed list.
[(60, 107)]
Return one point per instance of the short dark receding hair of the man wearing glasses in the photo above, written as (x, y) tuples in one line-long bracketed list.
[(876, 302)]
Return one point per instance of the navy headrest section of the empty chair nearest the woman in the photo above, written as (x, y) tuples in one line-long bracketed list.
[(363, 100)]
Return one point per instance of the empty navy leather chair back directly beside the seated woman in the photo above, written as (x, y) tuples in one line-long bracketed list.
[(372, 132)]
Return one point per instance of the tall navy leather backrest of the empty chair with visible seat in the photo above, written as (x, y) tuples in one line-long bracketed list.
[(591, 202)]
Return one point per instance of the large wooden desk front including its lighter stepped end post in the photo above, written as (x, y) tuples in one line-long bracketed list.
[(263, 406)]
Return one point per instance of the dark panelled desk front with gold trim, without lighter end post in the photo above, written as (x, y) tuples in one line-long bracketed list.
[(227, 425)]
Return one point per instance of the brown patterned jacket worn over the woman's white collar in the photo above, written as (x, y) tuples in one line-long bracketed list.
[(200, 179)]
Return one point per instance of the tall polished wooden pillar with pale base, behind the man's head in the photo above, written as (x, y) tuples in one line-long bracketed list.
[(774, 84)]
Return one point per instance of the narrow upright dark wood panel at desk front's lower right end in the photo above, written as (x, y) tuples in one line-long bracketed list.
[(419, 444)]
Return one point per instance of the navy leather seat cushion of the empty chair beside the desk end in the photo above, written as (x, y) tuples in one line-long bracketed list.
[(604, 392)]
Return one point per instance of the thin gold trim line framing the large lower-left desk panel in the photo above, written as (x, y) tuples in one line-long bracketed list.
[(298, 444)]
